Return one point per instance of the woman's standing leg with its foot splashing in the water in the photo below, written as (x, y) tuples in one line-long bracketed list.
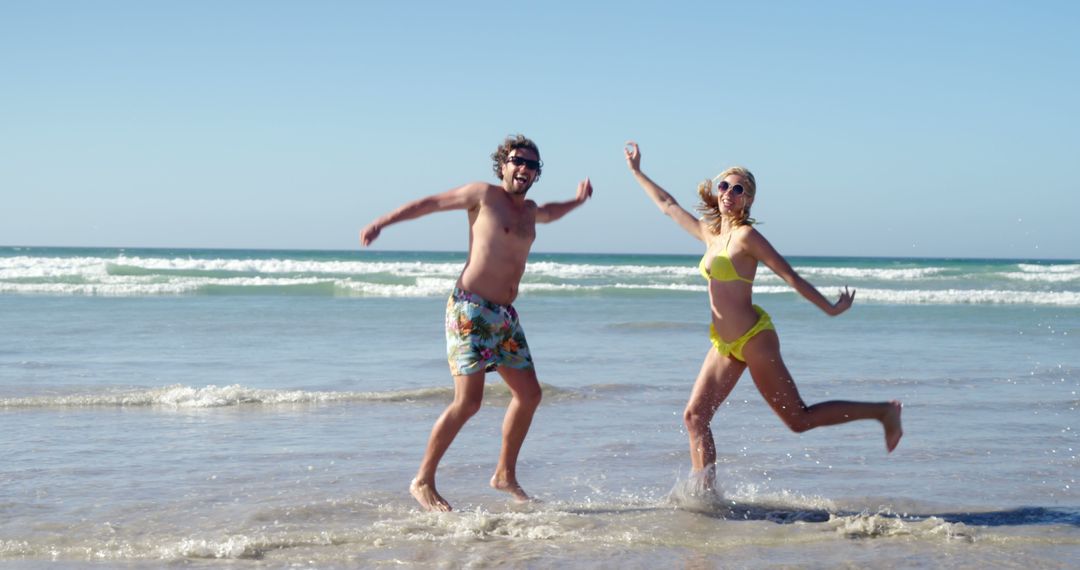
[(715, 382)]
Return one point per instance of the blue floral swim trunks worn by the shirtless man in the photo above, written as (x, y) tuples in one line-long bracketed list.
[(483, 336)]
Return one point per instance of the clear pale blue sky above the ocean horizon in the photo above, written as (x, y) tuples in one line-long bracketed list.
[(875, 129)]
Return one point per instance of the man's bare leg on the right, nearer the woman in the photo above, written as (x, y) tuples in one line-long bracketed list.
[(525, 390)]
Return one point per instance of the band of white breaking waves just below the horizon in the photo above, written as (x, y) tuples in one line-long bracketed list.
[(132, 277)]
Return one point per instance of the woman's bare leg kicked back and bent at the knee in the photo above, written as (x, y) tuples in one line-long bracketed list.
[(777, 386)]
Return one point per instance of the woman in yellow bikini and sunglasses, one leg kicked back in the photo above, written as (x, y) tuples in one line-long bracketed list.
[(742, 333)]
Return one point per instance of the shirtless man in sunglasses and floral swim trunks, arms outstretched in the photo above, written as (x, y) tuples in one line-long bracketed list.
[(483, 333)]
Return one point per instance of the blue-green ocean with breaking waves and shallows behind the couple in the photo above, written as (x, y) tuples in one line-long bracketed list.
[(268, 409)]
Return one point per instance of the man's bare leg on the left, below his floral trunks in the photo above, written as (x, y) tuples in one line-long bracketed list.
[(468, 397)]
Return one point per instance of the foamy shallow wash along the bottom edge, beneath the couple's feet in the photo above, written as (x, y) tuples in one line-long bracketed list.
[(566, 534)]
